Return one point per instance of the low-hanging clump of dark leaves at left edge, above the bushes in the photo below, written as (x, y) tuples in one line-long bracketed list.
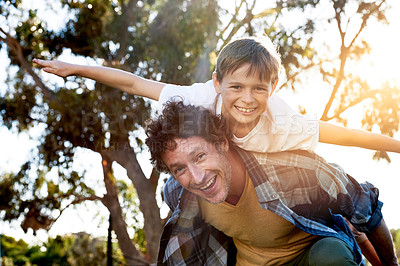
[(35, 206)]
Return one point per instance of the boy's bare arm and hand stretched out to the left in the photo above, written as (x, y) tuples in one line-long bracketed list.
[(112, 77)]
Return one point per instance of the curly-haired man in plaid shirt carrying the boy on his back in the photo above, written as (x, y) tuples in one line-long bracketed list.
[(231, 206)]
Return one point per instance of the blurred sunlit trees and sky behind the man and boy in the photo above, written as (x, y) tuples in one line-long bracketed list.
[(76, 185)]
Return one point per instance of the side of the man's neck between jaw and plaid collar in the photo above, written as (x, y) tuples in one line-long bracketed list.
[(238, 180)]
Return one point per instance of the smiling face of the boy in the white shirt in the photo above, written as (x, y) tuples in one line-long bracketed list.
[(244, 99)]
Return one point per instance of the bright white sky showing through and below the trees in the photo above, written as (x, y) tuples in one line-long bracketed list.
[(381, 66)]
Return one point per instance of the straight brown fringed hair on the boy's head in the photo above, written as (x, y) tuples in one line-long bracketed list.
[(260, 53)]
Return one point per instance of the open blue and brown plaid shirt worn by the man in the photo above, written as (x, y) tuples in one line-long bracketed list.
[(299, 186)]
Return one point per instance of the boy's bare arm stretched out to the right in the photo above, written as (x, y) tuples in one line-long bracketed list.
[(332, 134)]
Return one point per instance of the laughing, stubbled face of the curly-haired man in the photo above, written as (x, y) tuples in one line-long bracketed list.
[(200, 167)]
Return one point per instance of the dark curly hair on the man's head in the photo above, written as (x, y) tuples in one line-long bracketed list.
[(180, 121)]
